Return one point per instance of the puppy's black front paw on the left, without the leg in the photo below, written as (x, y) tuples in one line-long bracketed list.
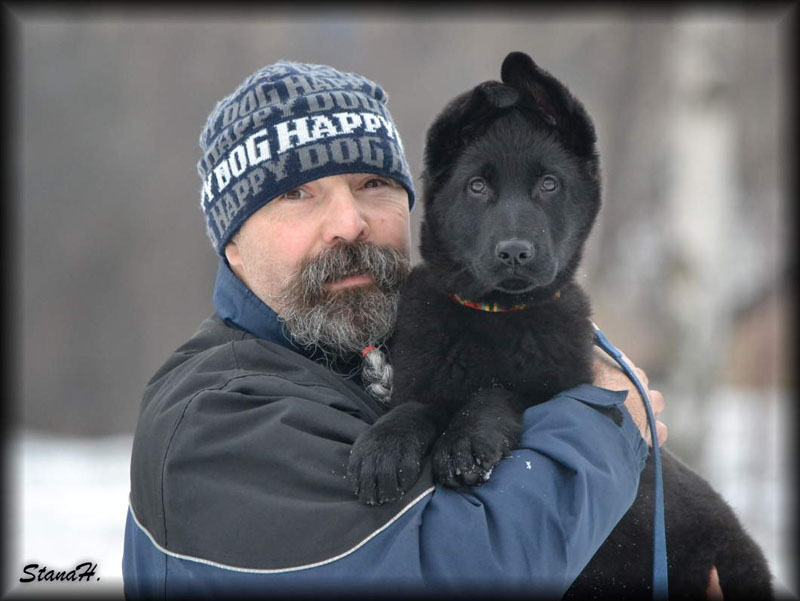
[(384, 464)]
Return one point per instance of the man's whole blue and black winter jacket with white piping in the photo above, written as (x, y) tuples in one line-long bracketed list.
[(238, 481)]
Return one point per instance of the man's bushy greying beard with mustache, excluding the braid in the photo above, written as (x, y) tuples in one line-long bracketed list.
[(342, 322)]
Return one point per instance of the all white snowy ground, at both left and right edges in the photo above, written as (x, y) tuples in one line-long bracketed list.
[(70, 495)]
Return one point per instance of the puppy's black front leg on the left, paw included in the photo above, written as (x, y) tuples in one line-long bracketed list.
[(386, 459)]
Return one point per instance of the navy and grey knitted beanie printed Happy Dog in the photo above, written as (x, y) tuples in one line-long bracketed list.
[(286, 125)]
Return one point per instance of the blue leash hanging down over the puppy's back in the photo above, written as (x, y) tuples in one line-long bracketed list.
[(660, 584)]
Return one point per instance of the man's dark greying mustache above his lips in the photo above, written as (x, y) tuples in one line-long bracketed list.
[(387, 267)]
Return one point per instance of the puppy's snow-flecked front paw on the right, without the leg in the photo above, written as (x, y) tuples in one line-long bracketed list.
[(460, 459)]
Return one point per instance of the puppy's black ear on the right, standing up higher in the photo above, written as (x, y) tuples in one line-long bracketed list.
[(551, 100)]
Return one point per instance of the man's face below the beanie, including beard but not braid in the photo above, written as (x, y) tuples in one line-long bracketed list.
[(329, 258)]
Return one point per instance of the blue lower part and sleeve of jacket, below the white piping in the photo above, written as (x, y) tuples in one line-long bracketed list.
[(531, 528)]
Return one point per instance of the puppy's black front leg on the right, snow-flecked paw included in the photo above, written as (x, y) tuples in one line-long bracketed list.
[(479, 435)]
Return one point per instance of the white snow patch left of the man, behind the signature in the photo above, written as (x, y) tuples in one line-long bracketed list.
[(70, 506)]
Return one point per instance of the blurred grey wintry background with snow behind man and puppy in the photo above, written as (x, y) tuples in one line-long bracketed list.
[(688, 265)]
